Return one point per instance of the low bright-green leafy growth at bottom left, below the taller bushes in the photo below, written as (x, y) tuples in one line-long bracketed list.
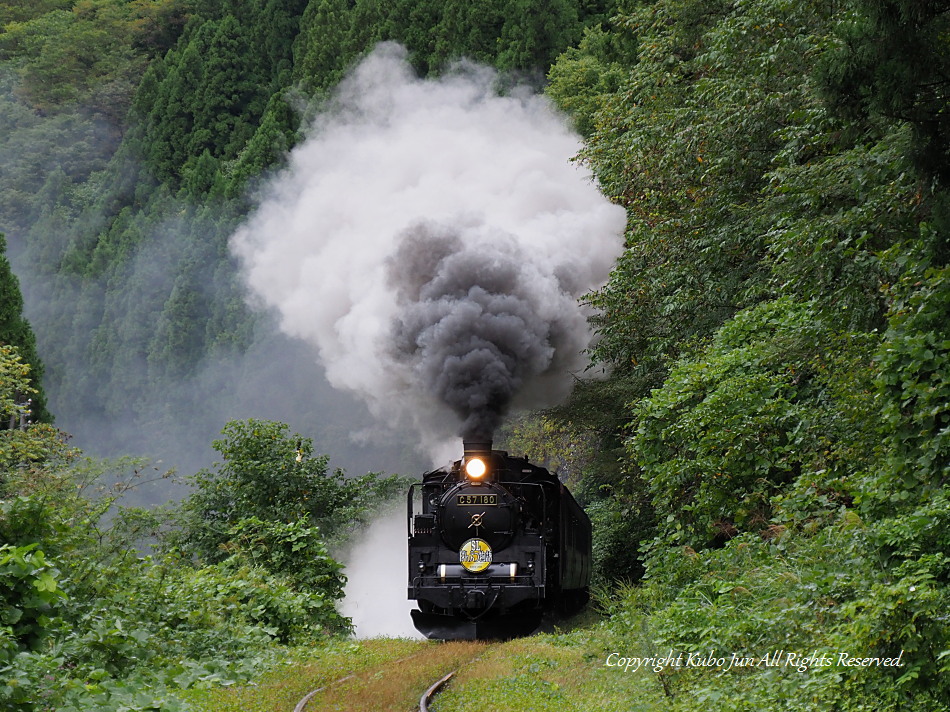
[(137, 632)]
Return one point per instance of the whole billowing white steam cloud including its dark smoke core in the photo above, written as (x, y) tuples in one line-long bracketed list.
[(431, 239)]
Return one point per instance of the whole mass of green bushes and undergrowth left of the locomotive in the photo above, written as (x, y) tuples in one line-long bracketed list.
[(87, 622)]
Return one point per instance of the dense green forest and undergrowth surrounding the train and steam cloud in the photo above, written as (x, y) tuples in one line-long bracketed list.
[(766, 462)]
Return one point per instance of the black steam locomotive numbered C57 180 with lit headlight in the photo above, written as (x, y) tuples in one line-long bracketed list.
[(494, 543)]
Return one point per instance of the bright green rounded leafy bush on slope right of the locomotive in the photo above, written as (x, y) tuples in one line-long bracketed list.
[(767, 404)]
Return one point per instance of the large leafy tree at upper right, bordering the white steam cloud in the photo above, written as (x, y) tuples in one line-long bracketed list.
[(706, 123)]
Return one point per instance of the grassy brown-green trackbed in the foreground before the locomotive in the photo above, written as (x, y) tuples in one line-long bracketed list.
[(559, 672)]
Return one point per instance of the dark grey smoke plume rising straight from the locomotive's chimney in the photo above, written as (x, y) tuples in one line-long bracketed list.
[(470, 325)]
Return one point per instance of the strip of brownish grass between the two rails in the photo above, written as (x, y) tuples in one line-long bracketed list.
[(394, 686)]
